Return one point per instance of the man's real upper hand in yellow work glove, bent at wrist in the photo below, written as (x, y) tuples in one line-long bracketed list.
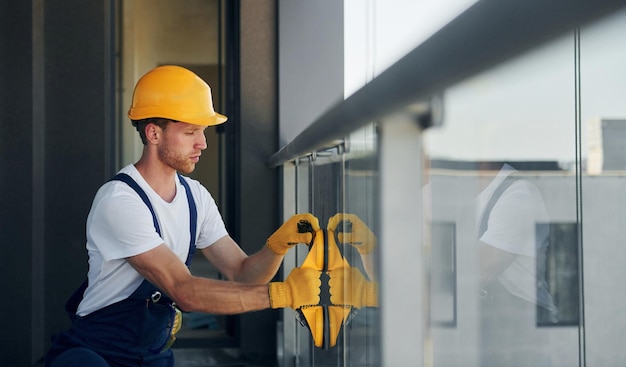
[(288, 235)]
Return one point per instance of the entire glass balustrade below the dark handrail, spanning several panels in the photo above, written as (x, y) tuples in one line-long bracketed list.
[(502, 227)]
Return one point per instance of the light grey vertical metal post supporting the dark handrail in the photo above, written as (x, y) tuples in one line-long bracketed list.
[(401, 270)]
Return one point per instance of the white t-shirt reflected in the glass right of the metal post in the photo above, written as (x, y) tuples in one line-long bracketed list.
[(518, 224)]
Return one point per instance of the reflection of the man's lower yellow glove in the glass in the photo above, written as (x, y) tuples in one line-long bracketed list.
[(348, 287)]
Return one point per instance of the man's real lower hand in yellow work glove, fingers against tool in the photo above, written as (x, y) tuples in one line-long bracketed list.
[(301, 288)]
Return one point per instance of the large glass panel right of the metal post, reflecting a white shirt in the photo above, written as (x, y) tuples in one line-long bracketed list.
[(502, 215)]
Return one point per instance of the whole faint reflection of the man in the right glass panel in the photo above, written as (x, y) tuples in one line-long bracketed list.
[(513, 237)]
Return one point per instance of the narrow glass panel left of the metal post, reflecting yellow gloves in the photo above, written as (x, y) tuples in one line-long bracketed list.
[(340, 183)]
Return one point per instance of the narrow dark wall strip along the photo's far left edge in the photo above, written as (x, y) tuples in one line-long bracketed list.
[(15, 181)]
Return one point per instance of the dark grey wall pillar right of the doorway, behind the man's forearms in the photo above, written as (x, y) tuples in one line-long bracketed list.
[(257, 184)]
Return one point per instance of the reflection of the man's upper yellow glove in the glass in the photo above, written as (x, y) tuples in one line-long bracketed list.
[(360, 236)]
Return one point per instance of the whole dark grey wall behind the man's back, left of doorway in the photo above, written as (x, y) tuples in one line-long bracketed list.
[(54, 108)]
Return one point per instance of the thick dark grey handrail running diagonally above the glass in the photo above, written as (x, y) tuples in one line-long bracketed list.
[(488, 33)]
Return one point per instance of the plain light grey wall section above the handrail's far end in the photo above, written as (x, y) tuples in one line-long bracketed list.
[(310, 62)]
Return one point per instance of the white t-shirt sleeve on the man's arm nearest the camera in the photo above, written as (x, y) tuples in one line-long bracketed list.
[(121, 226)]
